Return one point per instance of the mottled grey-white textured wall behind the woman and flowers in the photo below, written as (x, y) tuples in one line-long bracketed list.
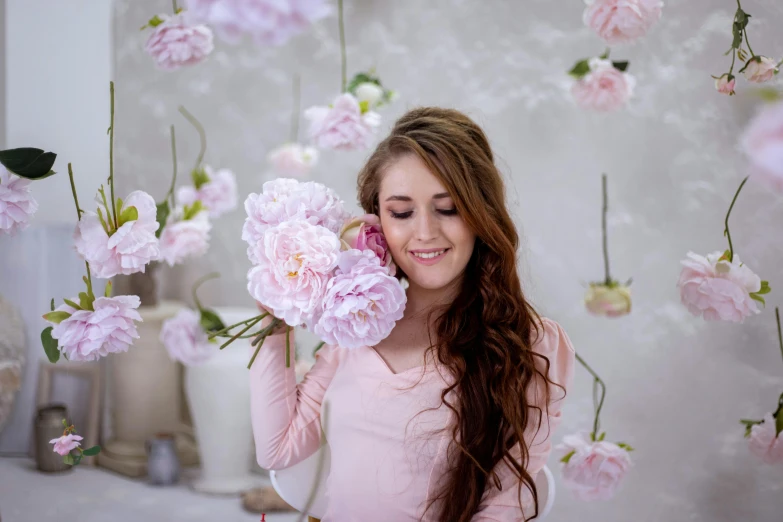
[(677, 385)]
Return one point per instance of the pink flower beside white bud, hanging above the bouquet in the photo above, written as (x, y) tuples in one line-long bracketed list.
[(342, 126)]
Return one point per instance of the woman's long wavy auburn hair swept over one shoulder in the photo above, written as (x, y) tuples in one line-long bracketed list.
[(484, 336)]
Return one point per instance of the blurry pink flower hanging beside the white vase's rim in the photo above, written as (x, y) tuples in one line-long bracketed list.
[(185, 339)]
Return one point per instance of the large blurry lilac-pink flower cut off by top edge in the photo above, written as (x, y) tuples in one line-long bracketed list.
[(268, 22)]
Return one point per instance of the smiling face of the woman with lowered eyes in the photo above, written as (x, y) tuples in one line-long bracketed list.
[(429, 241)]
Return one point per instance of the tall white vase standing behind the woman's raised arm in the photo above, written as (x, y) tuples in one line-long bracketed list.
[(218, 392)]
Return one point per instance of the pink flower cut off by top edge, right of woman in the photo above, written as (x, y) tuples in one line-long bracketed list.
[(621, 21)]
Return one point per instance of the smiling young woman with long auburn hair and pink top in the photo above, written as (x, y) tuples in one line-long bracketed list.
[(450, 418)]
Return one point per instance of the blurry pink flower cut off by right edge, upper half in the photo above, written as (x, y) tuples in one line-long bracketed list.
[(762, 142)]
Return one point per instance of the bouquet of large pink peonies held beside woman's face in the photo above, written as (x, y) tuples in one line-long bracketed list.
[(314, 266)]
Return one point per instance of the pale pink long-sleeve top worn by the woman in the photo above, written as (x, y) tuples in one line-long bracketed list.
[(387, 461)]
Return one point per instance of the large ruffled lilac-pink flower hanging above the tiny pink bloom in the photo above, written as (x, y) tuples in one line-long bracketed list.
[(88, 335)]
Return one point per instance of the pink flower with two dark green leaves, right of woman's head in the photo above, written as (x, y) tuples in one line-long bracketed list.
[(604, 88)]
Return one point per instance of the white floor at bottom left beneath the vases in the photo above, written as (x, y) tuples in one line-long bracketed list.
[(87, 494)]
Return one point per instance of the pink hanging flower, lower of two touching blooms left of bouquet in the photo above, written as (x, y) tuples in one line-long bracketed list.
[(184, 238)]
